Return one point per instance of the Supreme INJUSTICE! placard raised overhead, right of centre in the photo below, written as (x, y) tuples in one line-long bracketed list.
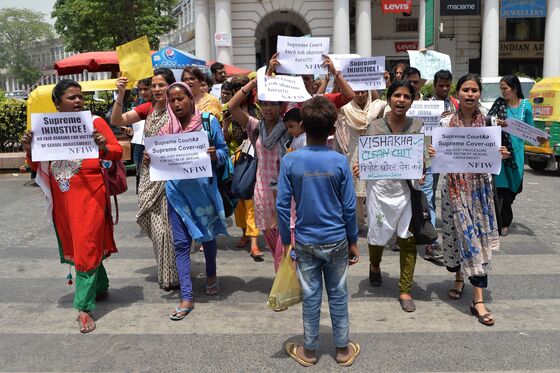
[(364, 74)]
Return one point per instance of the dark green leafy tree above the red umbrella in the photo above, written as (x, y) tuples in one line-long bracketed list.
[(96, 25)]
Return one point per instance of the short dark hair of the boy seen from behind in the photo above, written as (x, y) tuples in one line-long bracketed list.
[(319, 116)]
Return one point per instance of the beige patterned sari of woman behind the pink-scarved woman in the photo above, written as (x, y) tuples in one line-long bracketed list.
[(152, 211)]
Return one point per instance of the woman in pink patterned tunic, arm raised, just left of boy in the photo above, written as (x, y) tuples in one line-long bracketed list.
[(269, 136)]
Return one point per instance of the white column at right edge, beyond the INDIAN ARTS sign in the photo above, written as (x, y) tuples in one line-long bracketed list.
[(551, 65)]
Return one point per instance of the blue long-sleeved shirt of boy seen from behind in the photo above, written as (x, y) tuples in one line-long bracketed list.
[(321, 183)]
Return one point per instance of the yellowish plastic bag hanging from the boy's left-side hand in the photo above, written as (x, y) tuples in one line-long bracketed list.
[(286, 290)]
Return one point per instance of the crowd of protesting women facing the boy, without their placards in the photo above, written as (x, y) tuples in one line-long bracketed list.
[(176, 213)]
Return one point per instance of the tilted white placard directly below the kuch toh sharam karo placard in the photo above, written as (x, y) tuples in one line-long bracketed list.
[(281, 87)]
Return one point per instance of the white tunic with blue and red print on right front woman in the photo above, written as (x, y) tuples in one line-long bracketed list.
[(470, 231)]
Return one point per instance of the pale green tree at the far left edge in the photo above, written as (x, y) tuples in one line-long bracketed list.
[(19, 30)]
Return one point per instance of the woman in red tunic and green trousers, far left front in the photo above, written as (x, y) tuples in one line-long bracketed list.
[(77, 202)]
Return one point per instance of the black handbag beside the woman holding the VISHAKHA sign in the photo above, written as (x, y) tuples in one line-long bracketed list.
[(420, 224)]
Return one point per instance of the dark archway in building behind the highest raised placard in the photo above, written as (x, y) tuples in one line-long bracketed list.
[(278, 22)]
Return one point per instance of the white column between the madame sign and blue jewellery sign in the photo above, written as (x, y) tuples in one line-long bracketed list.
[(490, 56)]
